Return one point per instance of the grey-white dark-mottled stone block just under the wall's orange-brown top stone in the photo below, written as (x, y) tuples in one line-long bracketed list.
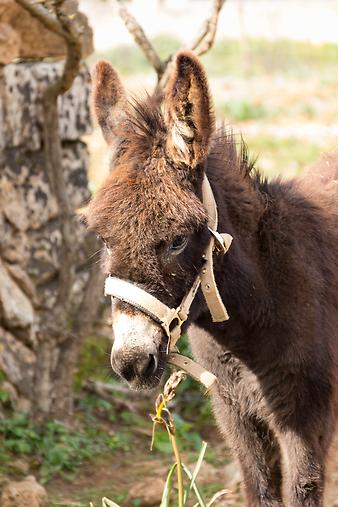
[(21, 115)]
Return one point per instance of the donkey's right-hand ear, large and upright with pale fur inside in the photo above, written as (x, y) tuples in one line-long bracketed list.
[(190, 117)]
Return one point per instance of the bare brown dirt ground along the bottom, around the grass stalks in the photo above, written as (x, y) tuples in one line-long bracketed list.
[(128, 477)]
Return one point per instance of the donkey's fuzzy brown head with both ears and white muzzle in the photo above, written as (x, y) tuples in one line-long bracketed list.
[(149, 212)]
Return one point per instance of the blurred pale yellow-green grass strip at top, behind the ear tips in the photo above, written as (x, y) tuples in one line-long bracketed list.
[(232, 57)]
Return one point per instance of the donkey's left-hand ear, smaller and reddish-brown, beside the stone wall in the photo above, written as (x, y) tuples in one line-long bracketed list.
[(109, 99)]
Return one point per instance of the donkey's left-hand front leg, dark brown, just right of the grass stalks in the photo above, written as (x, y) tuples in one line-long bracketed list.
[(258, 453)]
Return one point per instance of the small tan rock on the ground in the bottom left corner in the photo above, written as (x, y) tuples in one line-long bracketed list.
[(26, 493)]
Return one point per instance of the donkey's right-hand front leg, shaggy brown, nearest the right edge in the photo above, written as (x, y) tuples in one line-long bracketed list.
[(304, 467)]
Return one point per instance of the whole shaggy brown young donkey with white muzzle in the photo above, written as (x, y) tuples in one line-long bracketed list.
[(276, 357)]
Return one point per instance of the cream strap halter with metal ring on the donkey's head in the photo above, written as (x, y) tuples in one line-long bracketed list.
[(172, 319)]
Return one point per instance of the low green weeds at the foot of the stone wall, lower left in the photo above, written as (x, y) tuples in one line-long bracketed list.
[(53, 449)]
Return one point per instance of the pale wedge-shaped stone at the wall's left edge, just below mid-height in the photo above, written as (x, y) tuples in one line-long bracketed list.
[(16, 309)]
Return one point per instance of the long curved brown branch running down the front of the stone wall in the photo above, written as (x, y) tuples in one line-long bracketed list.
[(61, 24)]
